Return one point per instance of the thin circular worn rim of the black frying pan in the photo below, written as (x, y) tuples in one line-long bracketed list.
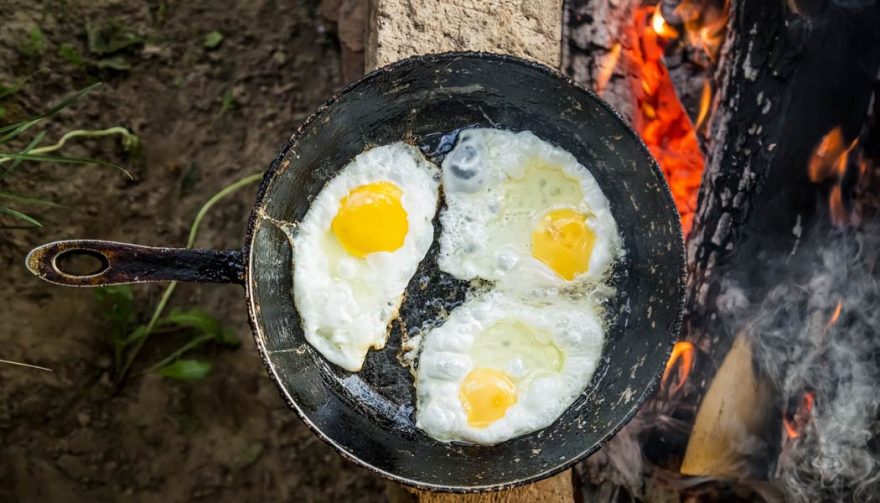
[(253, 309)]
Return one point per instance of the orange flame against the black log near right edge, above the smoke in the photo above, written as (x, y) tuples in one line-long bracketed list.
[(828, 163)]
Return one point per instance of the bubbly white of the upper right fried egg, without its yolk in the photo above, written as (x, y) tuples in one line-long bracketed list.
[(487, 231)]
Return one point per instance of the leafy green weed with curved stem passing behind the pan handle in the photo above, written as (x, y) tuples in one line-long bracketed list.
[(201, 328)]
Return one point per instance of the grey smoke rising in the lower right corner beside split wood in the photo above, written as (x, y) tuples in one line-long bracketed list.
[(803, 348)]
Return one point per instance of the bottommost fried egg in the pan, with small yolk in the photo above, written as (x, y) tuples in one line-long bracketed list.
[(503, 366)]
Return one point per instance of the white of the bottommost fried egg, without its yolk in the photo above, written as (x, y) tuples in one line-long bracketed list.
[(447, 357)]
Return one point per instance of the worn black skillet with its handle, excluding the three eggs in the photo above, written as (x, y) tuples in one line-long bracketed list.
[(368, 417)]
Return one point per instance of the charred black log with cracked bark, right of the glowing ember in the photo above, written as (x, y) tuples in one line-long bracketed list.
[(786, 77)]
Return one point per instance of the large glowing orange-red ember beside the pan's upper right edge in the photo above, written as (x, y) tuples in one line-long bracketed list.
[(661, 120)]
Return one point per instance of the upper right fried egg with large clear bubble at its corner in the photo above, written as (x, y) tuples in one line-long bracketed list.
[(522, 212)]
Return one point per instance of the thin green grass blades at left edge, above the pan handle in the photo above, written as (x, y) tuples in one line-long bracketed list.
[(11, 159)]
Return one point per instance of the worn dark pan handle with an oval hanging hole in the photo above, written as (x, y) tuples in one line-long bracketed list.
[(126, 263)]
